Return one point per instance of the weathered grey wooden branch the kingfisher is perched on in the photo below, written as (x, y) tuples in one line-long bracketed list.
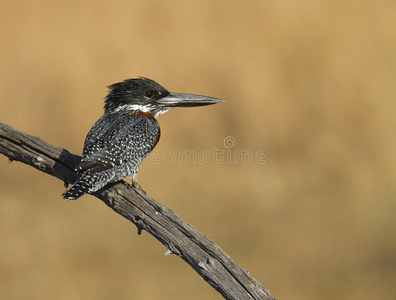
[(180, 238)]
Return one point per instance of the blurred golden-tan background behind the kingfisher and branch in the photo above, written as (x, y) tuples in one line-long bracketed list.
[(310, 84)]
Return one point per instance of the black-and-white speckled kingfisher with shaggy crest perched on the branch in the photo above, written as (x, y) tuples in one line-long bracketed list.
[(128, 131)]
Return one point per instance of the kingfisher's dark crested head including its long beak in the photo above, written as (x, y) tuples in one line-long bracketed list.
[(145, 95)]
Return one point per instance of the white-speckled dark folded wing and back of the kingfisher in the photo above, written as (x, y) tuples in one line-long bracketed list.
[(113, 141)]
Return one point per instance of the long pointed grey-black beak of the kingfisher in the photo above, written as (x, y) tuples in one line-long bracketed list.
[(187, 100)]
